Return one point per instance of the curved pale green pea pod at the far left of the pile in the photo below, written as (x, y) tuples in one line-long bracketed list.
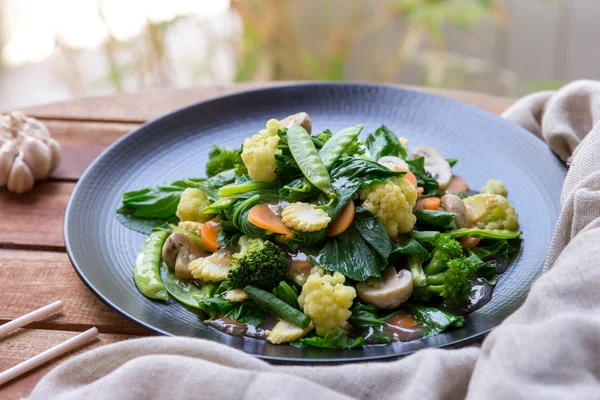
[(147, 267)]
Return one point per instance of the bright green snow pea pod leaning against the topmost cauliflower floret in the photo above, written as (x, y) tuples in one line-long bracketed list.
[(307, 157)]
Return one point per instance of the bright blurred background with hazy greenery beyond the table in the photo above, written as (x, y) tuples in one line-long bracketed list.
[(61, 49)]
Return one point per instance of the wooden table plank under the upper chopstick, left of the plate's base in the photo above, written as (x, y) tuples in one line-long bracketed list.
[(32, 279)]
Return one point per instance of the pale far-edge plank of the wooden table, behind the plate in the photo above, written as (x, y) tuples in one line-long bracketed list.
[(140, 107)]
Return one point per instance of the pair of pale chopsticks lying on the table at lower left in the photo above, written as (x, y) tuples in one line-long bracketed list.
[(47, 355)]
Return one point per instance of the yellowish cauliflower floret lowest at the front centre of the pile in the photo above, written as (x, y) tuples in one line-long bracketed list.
[(326, 300)]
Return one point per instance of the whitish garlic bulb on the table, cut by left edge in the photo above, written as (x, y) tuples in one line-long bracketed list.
[(27, 152)]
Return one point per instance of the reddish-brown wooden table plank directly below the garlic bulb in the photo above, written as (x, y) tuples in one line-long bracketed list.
[(34, 219)]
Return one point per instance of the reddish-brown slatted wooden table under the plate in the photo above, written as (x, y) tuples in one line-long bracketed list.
[(34, 268)]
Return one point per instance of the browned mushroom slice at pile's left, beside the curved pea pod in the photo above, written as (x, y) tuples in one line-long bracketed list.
[(178, 251)]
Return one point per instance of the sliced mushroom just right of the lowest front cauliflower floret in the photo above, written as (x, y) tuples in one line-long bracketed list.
[(394, 289)]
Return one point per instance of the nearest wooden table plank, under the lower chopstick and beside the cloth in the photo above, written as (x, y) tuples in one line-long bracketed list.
[(25, 343)]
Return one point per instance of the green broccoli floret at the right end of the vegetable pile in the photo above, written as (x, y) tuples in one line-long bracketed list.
[(454, 285)]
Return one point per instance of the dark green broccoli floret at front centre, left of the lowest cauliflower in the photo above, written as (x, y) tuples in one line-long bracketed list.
[(259, 263)]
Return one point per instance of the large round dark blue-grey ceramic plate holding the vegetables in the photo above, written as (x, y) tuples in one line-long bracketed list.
[(176, 146)]
